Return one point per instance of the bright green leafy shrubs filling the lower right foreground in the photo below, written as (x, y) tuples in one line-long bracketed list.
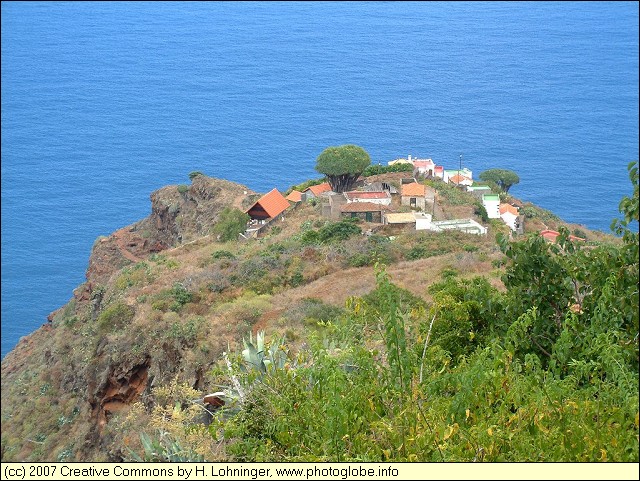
[(545, 370)]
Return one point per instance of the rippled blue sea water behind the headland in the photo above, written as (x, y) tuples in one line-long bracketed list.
[(105, 102)]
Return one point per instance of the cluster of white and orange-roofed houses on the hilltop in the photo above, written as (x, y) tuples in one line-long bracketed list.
[(394, 202)]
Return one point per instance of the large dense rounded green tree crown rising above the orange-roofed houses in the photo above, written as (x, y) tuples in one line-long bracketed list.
[(342, 165)]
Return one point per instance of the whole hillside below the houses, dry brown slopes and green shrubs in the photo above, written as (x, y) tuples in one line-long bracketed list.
[(142, 341)]
